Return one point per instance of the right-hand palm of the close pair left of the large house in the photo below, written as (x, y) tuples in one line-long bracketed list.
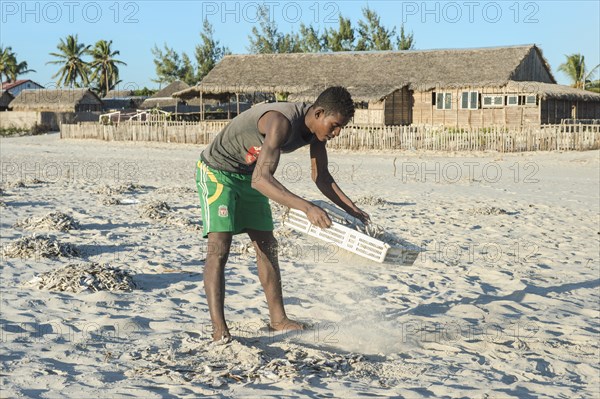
[(104, 66)]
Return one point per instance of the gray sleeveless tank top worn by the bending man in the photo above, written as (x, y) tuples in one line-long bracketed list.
[(237, 147)]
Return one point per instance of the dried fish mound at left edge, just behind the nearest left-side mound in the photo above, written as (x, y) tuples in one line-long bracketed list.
[(34, 246)]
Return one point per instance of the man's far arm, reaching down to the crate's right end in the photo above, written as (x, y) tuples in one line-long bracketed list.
[(327, 185)]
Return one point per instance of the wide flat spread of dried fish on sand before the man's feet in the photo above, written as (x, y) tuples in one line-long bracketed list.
[(217, 365)]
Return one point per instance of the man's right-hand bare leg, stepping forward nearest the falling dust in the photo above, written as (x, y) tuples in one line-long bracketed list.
[(265, 245)]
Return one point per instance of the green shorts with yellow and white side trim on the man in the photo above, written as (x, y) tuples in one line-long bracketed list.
[(229, 203)]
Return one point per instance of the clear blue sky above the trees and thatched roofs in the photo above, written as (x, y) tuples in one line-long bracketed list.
[(33, 29)]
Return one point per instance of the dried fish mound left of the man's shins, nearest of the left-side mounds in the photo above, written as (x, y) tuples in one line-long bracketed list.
[(84, 276)]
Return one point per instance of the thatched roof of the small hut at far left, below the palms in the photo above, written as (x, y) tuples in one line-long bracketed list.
[(62, 100)]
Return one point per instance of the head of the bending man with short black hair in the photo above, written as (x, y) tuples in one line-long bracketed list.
[(332, 110)]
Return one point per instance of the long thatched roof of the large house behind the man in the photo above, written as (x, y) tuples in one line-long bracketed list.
[(370, 76)]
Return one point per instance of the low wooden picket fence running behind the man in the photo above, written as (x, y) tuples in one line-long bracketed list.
[(502, 139)]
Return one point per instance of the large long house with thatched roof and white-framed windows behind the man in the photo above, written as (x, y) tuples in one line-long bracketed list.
[(498, 86)]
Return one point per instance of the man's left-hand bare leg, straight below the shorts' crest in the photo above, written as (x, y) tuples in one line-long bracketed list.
[(214, 281)]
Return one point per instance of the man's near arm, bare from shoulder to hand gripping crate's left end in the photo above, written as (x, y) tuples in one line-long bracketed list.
[(277, 129)]
